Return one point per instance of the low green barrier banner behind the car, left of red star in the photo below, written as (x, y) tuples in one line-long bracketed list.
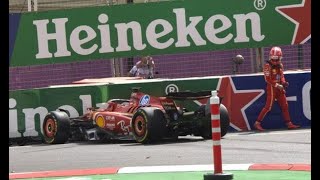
[(28, 108)]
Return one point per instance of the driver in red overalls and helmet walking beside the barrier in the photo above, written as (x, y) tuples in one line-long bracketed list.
[(276, 84)]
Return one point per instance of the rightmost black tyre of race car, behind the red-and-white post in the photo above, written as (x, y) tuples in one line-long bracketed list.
[(224, 121)]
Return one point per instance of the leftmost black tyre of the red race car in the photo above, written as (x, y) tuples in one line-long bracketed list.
[(56, 127)]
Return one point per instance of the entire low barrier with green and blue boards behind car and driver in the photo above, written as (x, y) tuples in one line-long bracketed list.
[(27, 108)]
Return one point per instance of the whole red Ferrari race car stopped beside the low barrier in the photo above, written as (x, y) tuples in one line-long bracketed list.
[(143, 117)]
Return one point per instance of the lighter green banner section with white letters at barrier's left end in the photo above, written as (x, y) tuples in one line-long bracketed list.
[(28, 108)]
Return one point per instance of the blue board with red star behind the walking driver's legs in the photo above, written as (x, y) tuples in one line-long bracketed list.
[(249, 93)]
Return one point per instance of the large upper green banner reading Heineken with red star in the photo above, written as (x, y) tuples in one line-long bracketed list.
[(158, 28)]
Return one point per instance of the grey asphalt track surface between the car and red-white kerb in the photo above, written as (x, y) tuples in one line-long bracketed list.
[(270, 147)]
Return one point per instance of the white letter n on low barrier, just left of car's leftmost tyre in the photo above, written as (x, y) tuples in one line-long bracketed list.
[(30, 120)]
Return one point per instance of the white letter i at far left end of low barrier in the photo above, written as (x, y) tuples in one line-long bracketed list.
[(13, 119)]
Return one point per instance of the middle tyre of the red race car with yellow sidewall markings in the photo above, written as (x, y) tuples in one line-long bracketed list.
[(148, 125)]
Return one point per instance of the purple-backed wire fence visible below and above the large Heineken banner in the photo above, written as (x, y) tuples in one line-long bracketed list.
[(167, 66)]
